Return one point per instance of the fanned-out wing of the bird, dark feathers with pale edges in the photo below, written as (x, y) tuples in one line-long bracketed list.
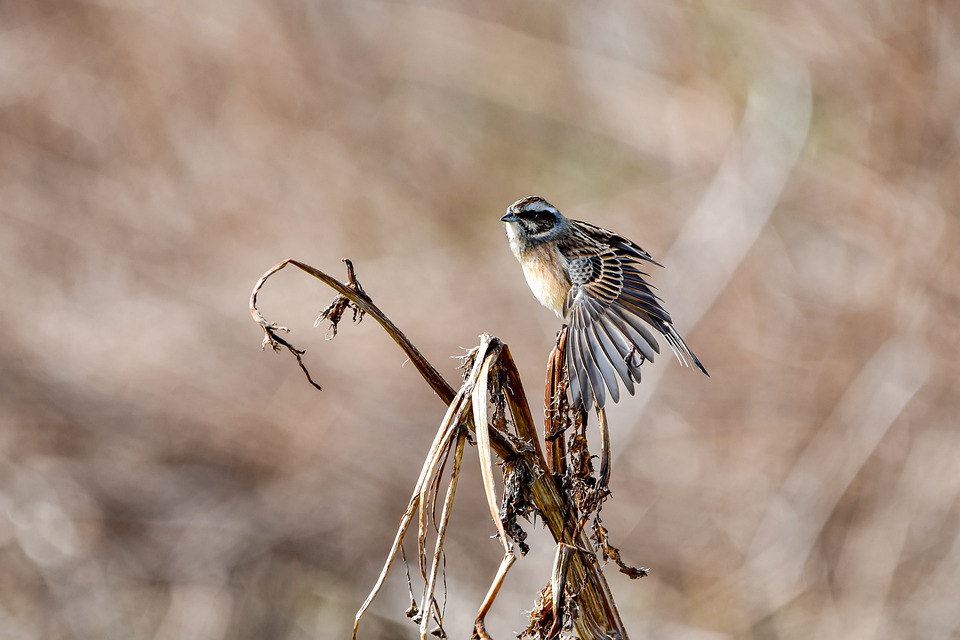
[(609, 308)]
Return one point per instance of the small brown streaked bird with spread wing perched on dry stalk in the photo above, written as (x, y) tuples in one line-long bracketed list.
[(591, 278)]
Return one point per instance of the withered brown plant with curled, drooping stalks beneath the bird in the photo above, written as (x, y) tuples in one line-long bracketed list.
[(579, 597)]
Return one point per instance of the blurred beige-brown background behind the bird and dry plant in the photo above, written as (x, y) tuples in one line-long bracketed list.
[(793, 165)]
